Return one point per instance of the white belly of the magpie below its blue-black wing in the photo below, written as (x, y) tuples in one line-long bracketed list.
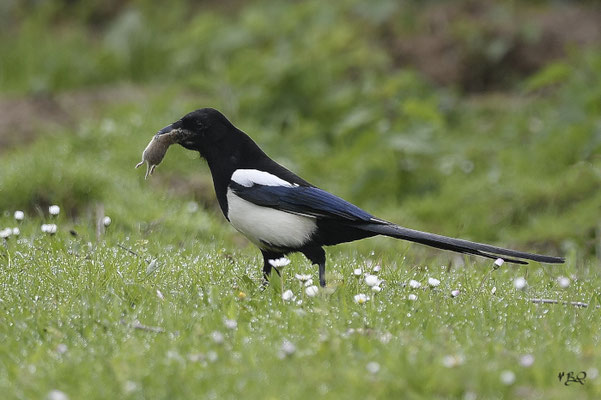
[(265, 226)]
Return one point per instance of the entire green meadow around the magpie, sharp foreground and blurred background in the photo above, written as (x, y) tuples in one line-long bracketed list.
[(165, 299)]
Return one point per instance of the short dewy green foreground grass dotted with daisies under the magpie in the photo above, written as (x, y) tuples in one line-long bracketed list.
[(69, 307)]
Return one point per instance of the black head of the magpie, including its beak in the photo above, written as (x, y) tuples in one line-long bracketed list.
[(202, 130)]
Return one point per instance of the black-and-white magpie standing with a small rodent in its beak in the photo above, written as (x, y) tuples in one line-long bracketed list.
[(280, 212)]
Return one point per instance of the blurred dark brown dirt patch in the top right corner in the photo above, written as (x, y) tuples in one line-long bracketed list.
[(483, 45)]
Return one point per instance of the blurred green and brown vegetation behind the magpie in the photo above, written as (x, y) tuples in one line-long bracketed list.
[(479, 119)]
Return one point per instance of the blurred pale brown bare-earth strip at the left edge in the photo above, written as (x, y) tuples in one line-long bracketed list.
[(22, 119)]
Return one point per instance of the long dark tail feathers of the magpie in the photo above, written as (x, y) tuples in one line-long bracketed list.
[(458, 245)]
